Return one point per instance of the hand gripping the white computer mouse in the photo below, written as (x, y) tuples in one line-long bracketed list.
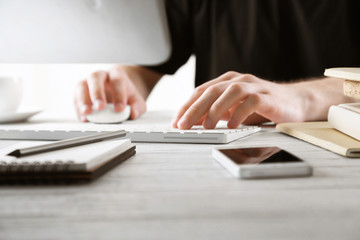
[(102, 87)]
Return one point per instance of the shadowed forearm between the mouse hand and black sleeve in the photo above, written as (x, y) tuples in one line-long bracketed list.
[(143, 78)]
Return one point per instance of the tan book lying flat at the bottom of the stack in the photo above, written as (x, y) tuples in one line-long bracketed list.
[(323, 135)]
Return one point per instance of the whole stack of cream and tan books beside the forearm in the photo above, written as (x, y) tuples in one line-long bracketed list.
[(341, 133)]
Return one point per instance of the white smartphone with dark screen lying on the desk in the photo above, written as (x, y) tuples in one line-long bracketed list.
[(261, 162)]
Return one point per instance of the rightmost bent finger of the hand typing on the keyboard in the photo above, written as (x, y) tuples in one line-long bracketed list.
[(255, 103)]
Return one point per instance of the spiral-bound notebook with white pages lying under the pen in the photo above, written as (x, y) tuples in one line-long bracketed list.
[(74, 164)]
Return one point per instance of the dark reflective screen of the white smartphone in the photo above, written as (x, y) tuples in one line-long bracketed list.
[(259, 155)]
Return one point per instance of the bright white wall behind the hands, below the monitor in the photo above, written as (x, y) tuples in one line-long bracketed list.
[(51, 86)]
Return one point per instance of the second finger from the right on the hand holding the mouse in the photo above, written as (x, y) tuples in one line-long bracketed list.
[(117, 83)]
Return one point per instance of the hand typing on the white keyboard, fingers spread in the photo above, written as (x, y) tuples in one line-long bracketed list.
[(241, 98)]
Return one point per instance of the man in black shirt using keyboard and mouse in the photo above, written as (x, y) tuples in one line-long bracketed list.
[(266, 60)]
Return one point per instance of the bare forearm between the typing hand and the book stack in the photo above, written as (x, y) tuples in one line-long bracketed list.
[(318, 95)]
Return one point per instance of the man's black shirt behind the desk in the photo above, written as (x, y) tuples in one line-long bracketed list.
[(278, 40)]
